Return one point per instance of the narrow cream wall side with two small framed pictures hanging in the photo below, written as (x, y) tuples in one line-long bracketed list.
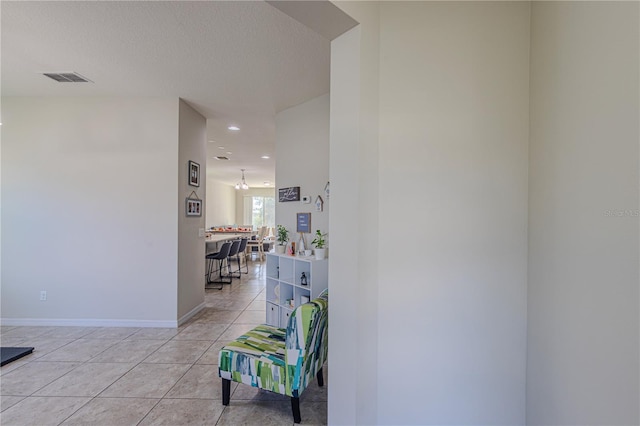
[(191, 246)]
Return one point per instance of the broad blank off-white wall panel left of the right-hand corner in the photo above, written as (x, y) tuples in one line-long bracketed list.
[(453, 120)]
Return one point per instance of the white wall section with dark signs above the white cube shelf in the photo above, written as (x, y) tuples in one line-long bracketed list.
[(302, 152)]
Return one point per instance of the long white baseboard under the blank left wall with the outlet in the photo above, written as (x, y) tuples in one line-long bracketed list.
[(43, 322)]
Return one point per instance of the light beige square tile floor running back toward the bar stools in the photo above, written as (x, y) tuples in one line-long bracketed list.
[(146, 376)]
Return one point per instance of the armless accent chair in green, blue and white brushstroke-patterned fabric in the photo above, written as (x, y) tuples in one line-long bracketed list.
[(280, 360)]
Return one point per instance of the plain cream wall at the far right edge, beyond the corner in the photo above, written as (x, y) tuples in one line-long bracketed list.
[(583, 247)]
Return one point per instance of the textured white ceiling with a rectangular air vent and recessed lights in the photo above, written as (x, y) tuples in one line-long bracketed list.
[(236, 62)]
